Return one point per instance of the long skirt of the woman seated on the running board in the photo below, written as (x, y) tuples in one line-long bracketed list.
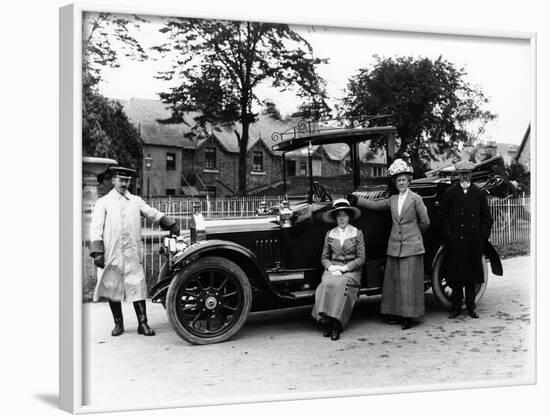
[(335, 296)]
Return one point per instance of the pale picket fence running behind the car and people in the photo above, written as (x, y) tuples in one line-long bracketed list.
[(511, 217)]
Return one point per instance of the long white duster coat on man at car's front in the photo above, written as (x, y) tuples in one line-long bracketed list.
[(116, 221)]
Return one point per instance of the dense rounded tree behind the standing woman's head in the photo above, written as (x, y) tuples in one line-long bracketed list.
[(433, 107)]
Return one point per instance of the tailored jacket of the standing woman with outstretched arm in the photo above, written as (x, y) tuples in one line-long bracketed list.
[(406, 232)]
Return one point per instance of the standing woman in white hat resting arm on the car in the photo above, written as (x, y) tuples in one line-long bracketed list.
[(403, 289)]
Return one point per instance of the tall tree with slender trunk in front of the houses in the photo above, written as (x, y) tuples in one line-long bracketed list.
[(220, 64)]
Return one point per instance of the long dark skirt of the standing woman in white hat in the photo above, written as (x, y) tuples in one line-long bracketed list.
[(403, 289)]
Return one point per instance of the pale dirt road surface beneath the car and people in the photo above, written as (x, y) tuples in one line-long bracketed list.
[(283, 352)]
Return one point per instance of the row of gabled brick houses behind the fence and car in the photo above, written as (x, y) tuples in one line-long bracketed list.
[(176, 165)]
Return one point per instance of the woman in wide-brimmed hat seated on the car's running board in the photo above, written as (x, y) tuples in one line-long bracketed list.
[(343, 257)]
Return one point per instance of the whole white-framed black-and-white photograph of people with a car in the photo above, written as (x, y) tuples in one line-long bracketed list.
[(257, 210)]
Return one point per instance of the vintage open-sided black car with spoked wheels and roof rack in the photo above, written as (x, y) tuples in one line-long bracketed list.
[(227, 268)]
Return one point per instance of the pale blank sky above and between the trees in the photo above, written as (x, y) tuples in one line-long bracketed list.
[(502, 68)]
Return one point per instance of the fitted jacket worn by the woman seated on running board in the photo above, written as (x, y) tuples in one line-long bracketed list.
[(351, 253)]
